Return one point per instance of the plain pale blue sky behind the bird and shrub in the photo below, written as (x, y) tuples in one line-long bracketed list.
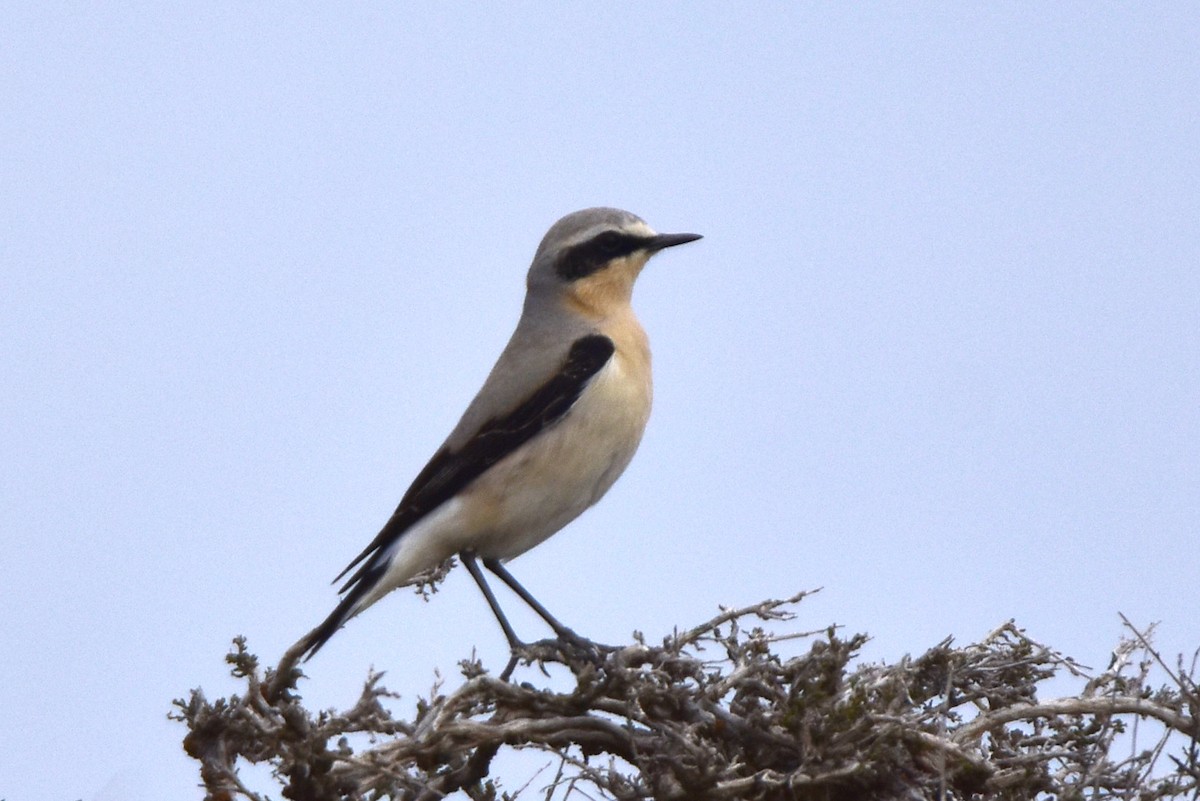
[(939, 352)]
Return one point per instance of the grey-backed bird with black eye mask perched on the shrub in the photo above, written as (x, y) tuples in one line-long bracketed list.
[(555, 425)]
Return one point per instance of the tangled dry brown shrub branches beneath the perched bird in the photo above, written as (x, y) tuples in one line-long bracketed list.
[(715, 713)]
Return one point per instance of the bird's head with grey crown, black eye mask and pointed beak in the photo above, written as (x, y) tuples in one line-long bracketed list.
[(592, 258)]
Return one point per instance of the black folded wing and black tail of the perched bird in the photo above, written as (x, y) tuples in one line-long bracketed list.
[(449, 472)]
